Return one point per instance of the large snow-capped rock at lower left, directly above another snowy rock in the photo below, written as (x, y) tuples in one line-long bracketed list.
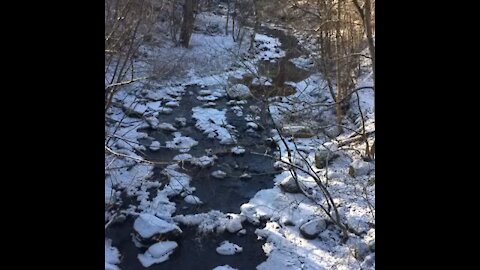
[(148, 225)]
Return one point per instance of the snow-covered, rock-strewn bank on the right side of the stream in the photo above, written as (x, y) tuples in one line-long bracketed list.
[(349, 179)]
